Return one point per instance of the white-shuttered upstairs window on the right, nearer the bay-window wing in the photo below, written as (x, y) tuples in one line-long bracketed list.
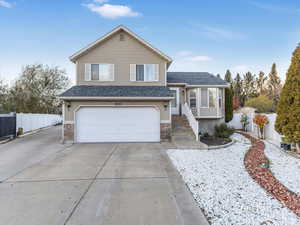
[(144, 72)]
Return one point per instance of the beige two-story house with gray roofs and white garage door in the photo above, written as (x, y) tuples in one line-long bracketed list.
[(122, 93)]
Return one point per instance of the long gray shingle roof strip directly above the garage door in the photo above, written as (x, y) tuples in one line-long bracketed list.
[(117, 91)]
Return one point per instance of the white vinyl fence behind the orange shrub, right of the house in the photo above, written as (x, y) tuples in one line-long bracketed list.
[(270, 132)]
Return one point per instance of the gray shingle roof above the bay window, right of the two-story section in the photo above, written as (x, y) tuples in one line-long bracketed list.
[(194, 78)]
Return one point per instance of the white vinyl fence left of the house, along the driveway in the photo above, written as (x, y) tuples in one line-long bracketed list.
[(30, 122)]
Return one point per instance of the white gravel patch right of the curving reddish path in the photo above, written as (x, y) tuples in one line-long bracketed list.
[(285, 168)]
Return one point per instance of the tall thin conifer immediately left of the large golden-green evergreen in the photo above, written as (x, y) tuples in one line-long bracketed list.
[(274, 85)]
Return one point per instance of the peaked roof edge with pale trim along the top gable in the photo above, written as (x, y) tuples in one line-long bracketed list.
[(116, 33)]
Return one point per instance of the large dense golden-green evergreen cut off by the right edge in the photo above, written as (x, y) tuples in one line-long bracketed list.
[(288, 110)]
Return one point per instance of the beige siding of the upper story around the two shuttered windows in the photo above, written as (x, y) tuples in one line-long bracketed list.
[(121, 54)]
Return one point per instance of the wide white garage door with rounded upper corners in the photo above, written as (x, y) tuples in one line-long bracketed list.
[(117, 124)]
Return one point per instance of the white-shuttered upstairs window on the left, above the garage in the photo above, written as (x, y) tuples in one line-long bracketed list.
[(99, 72)]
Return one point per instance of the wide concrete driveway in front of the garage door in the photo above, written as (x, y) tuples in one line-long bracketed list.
[(44, 182)]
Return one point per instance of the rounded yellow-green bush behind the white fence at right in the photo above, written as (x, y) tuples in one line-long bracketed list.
[(262, 104)]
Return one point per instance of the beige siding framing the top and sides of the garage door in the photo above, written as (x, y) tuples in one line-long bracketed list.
[(164, 113)]
